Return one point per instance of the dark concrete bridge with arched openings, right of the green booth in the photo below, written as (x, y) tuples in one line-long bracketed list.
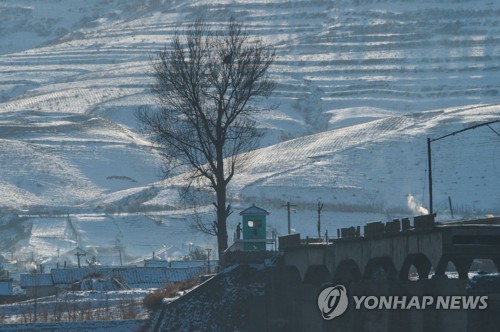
[(388, 251)]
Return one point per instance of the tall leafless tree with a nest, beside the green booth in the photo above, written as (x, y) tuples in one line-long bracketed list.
[(204, 85)]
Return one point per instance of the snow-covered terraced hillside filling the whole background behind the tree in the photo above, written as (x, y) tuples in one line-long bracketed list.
[(361, 85)]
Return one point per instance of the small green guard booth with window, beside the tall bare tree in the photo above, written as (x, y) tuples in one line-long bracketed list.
[(254, 228)]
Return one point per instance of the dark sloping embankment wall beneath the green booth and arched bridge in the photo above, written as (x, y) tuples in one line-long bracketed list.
[(276, 298)]
